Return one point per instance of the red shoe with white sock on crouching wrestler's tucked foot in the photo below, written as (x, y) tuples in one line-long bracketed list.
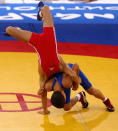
[(83, 99)]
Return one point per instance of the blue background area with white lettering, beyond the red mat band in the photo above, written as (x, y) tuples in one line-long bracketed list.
[(75, 23)]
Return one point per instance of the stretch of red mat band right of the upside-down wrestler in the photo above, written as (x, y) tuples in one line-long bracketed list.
[(109, 51)]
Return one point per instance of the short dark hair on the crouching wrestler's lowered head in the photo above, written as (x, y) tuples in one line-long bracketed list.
[(57, 99)]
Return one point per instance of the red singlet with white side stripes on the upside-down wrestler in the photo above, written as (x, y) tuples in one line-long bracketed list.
[(46, 47)]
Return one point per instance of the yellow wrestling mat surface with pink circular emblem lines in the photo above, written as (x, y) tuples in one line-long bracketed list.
[(19, 81)]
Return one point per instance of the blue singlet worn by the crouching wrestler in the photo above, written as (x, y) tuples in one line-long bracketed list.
[(85, 83)]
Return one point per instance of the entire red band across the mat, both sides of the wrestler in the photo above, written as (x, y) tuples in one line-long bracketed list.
[(108, 51)]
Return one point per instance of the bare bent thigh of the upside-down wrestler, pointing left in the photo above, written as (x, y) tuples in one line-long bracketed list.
[(19, 34)]
